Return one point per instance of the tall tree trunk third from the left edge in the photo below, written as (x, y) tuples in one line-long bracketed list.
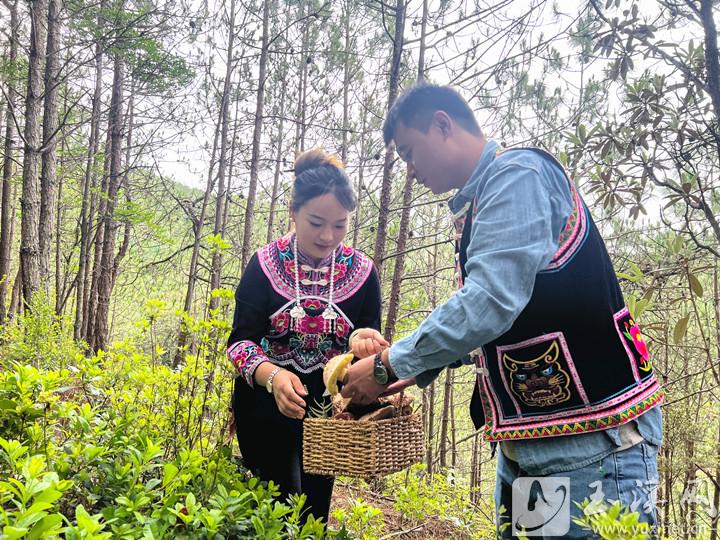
[(48, 175)]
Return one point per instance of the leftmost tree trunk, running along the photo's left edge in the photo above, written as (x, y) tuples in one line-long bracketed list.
[(6, 208)]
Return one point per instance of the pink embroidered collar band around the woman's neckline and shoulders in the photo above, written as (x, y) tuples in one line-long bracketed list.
[(352, 269)]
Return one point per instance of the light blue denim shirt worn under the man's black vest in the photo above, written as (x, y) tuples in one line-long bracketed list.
[(525, 202)]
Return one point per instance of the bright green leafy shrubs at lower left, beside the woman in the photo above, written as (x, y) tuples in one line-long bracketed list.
[(119, 445)]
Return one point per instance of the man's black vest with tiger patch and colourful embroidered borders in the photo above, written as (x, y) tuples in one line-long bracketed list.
[(574, 360)]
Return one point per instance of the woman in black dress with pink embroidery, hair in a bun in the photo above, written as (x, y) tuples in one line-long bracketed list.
[(297, 304)]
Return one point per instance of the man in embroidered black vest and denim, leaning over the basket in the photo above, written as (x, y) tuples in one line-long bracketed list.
[(565, 385)]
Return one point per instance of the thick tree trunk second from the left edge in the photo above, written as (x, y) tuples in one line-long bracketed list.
[(30, 203)]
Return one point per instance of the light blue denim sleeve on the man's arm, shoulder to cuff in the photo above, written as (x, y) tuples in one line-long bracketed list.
[(522, 207)]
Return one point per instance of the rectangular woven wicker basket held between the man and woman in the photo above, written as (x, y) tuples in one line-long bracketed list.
[(361, 449)]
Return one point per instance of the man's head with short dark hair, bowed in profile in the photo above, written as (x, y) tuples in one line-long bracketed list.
[(436, 134)]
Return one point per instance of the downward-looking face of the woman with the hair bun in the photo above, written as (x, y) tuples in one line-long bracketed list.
[(320, 225)]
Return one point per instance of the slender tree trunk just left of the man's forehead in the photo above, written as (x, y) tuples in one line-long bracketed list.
[(383, 217)]
